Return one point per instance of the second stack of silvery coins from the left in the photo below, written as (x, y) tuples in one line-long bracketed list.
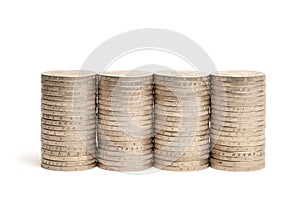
[(125, 129)]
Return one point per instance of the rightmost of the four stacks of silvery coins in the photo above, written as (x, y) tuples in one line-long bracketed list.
[(237, 120)]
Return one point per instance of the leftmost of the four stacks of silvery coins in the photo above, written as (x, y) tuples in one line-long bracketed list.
[(68, 121)]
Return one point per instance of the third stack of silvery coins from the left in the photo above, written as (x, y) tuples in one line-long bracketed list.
[(181, 120)]
